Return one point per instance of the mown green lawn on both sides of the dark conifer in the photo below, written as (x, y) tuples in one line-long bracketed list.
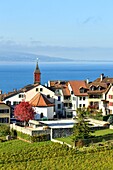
[(96, 133)]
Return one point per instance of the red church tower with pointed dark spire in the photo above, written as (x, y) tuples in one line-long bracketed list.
[(37, 74)]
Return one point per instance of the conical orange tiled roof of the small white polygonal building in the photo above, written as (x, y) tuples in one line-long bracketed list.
[(40, 100)]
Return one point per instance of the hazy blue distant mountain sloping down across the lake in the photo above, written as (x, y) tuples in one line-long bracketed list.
[(28, 57)]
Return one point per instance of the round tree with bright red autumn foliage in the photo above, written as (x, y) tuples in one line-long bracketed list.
[(24, 112)]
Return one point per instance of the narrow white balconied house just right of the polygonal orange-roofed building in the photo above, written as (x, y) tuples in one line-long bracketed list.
[(62, 98)]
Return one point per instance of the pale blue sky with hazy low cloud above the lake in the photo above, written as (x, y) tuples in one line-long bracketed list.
[(78, 29)]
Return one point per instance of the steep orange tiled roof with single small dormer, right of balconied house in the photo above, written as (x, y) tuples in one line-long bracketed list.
[(76, 85)]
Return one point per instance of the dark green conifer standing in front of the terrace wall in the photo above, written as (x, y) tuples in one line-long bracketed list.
[(81, 128)]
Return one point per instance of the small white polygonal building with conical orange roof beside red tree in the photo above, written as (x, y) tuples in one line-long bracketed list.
[(42, 107)]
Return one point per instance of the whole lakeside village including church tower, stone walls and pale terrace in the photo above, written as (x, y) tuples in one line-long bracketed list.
[(55, 104)]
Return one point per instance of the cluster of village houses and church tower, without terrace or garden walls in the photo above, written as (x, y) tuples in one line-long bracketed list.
[(59, 99)]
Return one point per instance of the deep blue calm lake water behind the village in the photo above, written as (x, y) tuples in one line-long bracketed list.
[(16, 76)]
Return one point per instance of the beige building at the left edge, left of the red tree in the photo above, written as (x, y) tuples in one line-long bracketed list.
[(4, 113)]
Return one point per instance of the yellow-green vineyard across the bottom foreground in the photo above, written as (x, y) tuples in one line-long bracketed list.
[(18, 155)]
